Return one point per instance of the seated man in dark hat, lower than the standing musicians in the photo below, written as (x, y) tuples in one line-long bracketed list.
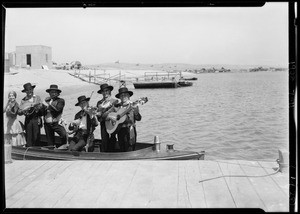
[(83, 125)]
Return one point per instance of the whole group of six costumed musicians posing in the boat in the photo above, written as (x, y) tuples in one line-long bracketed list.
[(116, 116)]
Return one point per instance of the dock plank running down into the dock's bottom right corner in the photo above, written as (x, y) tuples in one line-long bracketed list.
[(266, 188)]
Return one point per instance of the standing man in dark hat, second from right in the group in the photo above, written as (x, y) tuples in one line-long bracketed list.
[(108, 142)]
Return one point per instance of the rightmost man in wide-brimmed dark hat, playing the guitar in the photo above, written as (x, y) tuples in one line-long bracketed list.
[(126, 131)]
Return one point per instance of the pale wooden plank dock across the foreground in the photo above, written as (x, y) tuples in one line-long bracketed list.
[(146, 184)]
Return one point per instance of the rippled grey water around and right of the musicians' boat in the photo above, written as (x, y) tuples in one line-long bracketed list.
[(229, 115)]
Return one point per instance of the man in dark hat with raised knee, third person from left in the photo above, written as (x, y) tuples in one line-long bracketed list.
[(53, 109)]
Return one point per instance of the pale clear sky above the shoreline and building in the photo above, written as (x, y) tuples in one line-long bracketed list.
[(192, 35)]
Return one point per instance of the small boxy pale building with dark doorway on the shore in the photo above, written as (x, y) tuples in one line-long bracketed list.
[(33, 56)]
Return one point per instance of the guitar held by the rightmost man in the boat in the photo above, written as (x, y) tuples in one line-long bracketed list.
[(116, 118)]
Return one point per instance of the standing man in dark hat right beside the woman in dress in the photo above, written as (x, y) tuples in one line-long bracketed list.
[(31, 106)]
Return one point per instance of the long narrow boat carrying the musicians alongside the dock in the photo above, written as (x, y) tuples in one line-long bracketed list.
[(143, 151)]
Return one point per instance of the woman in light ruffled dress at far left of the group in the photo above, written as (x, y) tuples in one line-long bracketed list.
[(13, 130)]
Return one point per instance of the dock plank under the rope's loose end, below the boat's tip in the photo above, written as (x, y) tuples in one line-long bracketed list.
[(217, 194)]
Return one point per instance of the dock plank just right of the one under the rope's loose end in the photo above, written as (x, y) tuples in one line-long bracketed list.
[(240, 187)]
